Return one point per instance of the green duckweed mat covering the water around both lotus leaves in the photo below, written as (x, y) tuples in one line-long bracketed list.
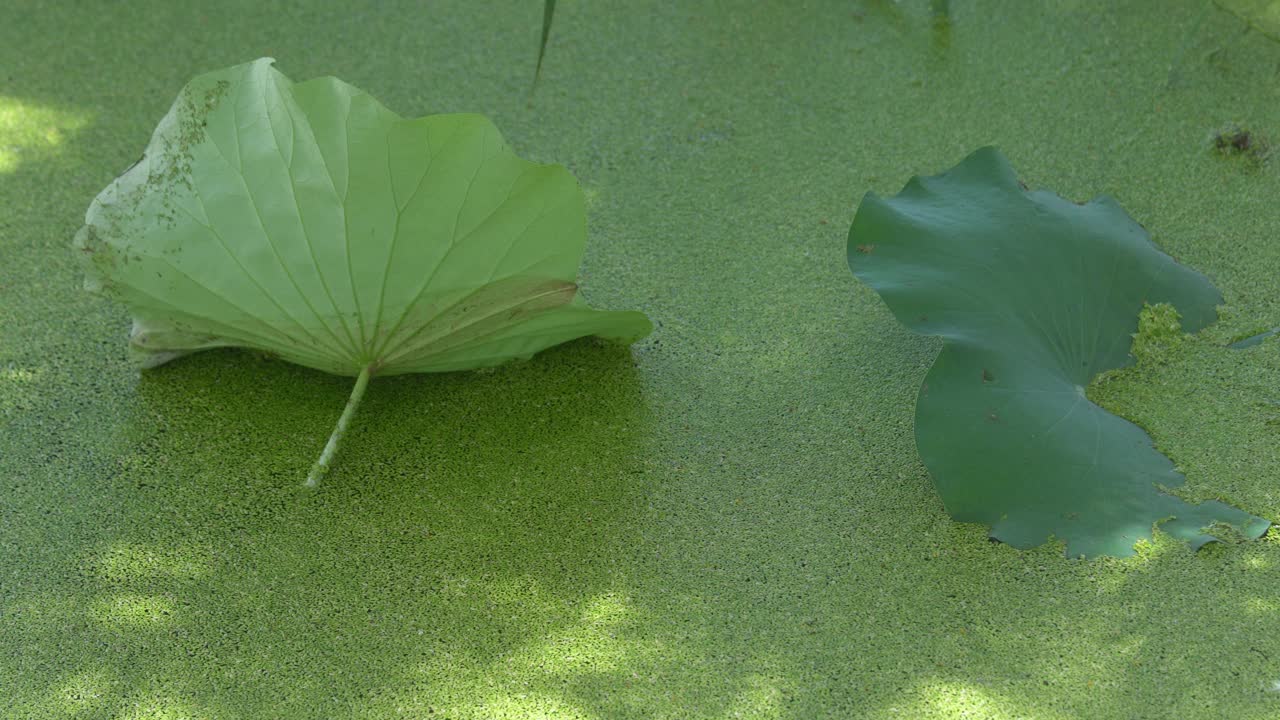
[(728, 520)]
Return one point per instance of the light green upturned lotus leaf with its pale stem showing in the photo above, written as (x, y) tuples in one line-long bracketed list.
[(310, 222)]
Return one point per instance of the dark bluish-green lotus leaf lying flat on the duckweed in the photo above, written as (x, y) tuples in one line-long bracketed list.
[(1034, 297)]
